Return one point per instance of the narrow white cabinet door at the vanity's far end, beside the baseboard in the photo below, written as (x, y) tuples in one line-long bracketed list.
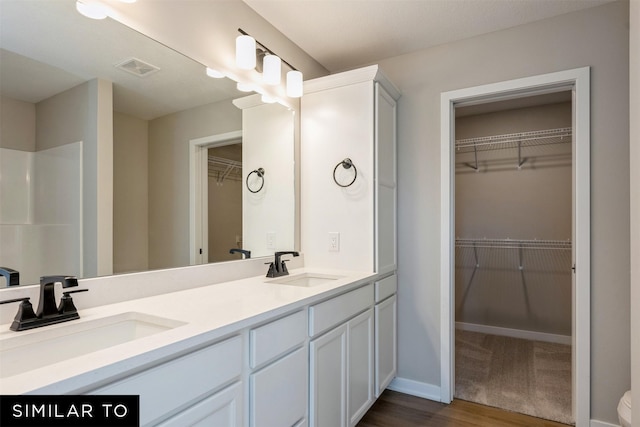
[(386, 347)]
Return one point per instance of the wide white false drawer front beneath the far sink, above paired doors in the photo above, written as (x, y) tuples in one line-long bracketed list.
[(328, 314)]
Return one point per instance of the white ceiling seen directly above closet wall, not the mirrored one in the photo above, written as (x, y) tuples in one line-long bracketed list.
[(344, 34)]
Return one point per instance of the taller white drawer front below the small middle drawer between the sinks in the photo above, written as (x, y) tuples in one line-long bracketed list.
[(278, 393)]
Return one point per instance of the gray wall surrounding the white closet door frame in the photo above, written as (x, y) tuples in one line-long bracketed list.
[(597, 37)]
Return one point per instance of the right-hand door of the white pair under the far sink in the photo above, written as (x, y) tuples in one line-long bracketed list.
[(360, 372)]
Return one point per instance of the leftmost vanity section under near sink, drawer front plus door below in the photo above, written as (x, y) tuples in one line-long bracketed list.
[(201, 387)]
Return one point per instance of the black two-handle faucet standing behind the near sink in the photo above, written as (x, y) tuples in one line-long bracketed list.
[(48, 313)]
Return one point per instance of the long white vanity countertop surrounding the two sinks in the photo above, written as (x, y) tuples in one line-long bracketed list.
[(210, 313)]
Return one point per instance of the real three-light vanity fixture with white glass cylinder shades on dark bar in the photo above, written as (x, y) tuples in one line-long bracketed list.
[(248, 49)]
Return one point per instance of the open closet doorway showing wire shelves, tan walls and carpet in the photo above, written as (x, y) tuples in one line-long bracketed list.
[(513, 255)]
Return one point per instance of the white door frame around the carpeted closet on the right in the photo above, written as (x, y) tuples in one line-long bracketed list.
[(578, 81)]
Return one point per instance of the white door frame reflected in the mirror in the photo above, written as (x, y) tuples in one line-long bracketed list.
[(199, 192)]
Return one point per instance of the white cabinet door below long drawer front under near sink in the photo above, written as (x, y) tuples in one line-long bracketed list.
[(223, 409)]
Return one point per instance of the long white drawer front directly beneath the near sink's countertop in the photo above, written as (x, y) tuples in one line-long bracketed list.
[(182, 381)]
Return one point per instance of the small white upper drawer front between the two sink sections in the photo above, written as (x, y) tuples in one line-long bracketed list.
[(276, 338)]
